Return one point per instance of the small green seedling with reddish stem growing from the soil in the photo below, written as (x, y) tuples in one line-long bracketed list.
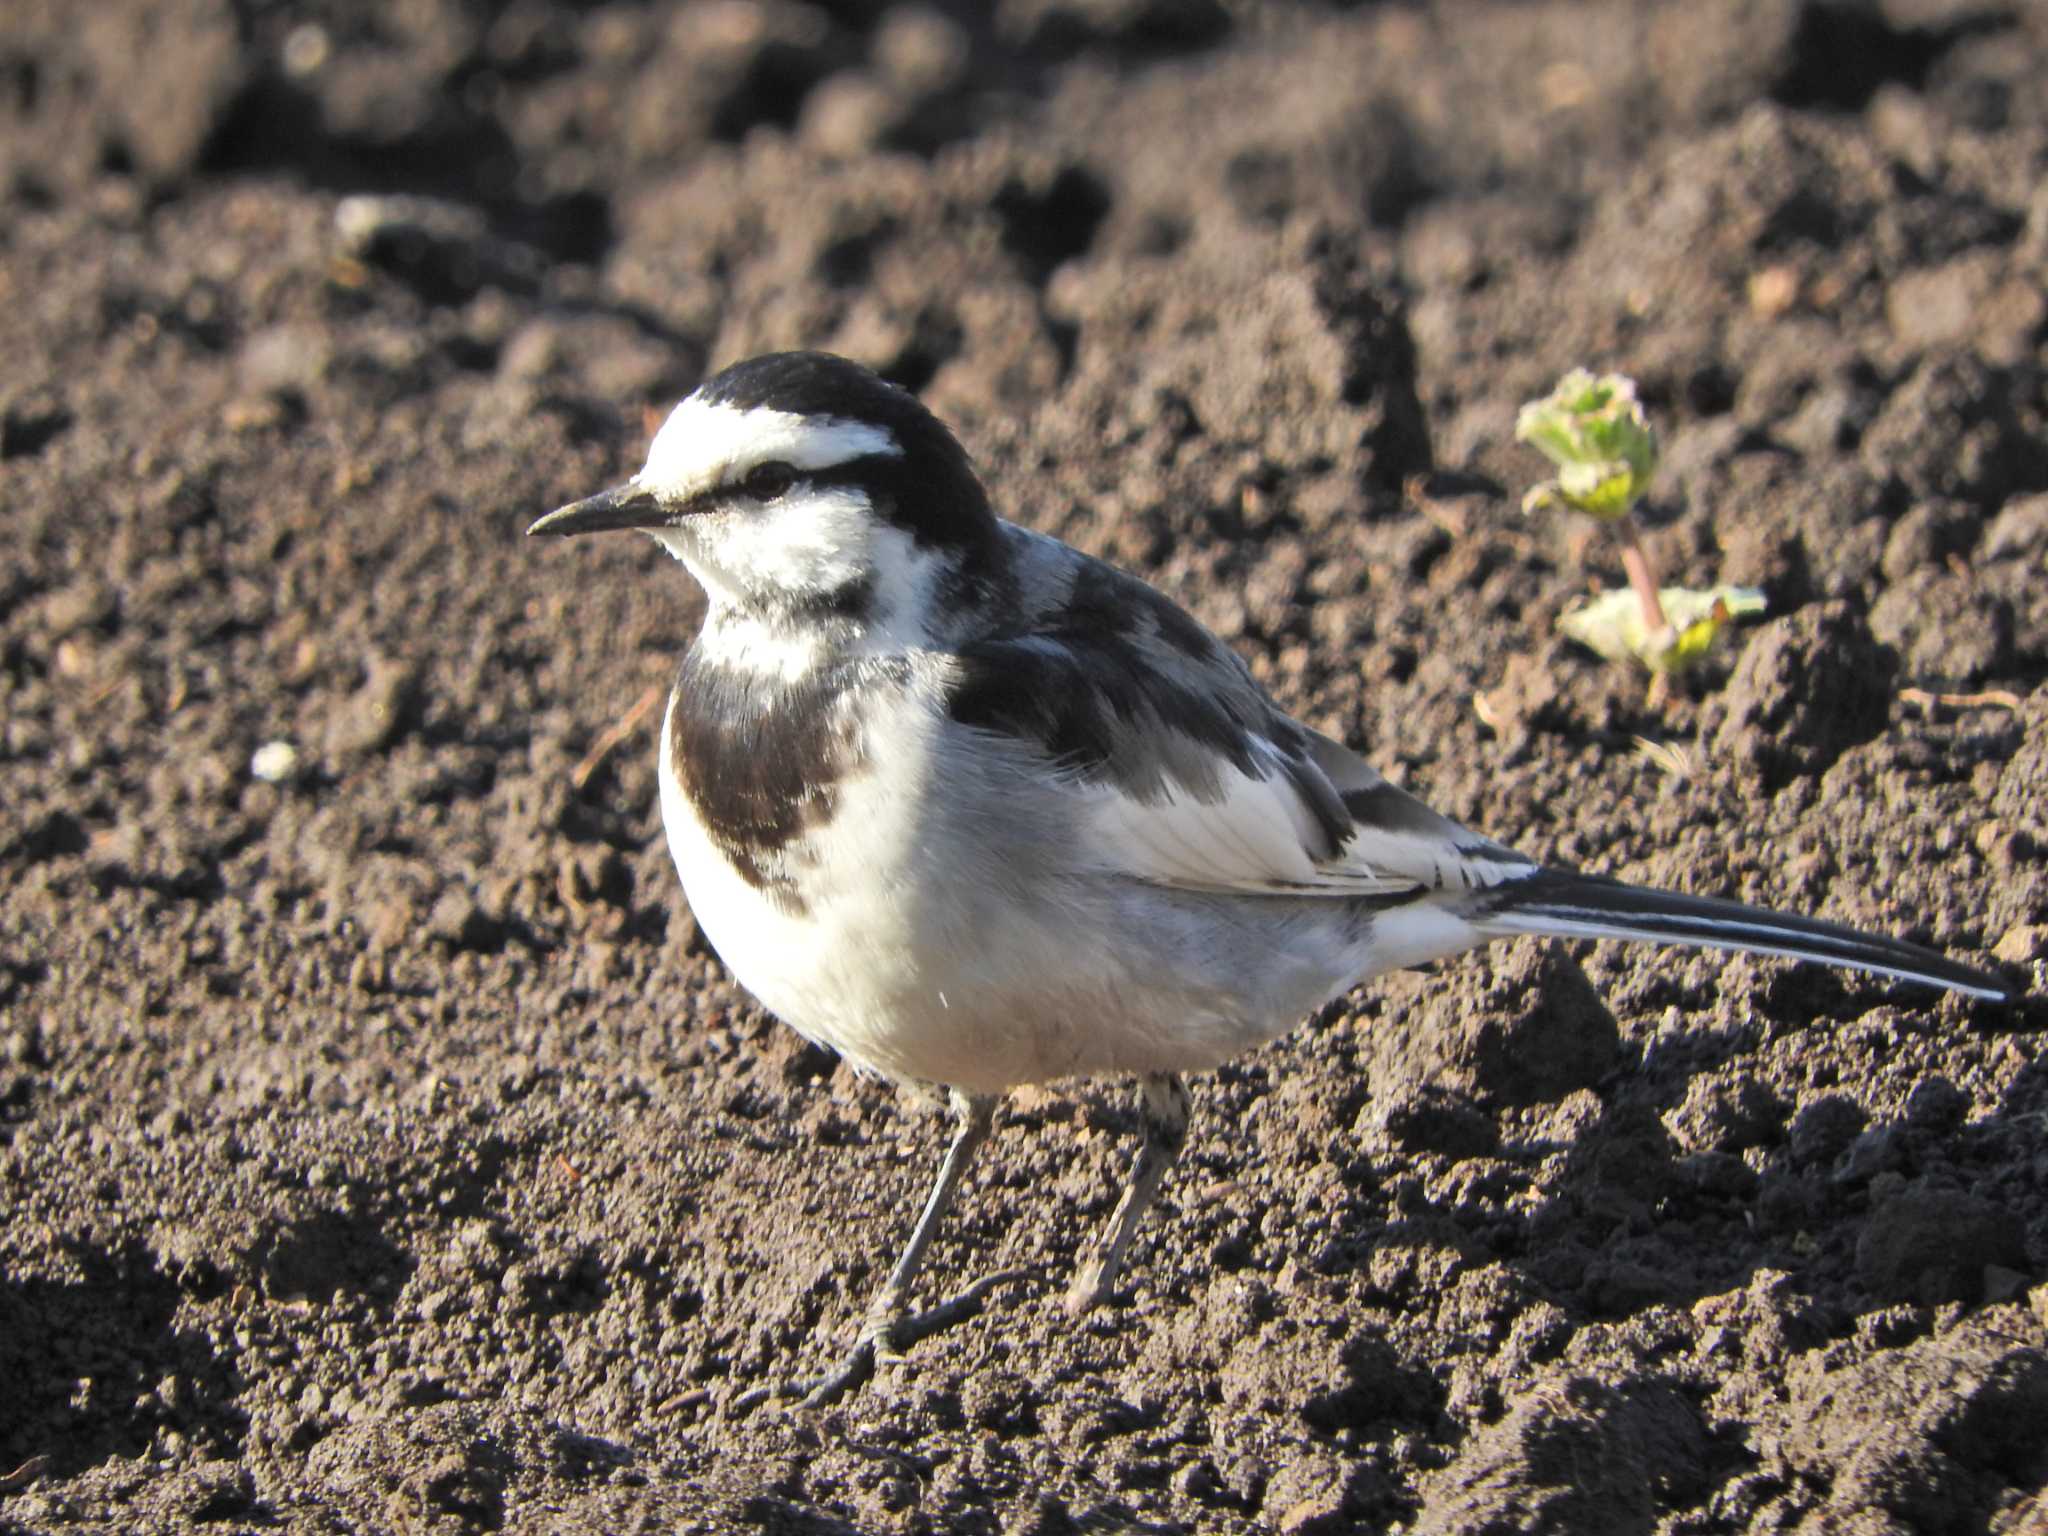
[(1605, 450)]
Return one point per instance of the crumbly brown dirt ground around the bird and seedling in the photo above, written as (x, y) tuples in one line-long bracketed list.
[(384, 1150)]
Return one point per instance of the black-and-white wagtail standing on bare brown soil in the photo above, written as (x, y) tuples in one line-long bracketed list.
[(978, 810)]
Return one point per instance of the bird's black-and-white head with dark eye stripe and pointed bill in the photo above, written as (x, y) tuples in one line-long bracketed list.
[(800, 482)]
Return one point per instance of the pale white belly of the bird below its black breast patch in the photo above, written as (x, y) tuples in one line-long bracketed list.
[(945, 945)]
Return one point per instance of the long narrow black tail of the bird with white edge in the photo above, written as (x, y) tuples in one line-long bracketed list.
[(1586, 906)]
